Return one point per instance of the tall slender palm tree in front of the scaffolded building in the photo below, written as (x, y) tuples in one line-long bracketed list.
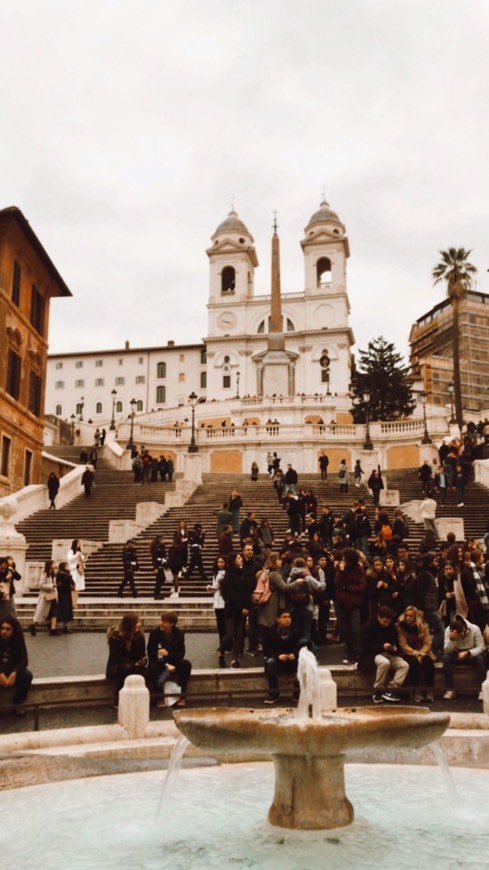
[(455, 269)]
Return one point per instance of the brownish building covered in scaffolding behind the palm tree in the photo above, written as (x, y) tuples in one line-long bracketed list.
[(431, 351)]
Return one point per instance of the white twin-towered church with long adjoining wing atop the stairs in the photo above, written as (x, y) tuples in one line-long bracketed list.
[(311, 350)]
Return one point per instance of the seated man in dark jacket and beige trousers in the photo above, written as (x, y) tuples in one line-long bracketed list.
[(379, 649)]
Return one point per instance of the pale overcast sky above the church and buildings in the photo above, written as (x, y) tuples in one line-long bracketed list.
[(127, 128)]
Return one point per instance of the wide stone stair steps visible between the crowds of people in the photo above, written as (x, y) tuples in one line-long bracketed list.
[(116, 497)]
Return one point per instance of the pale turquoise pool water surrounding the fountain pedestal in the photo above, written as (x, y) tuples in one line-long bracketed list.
[(214, 818)]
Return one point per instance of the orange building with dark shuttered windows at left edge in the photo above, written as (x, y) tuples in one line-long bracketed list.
[(28, 281)]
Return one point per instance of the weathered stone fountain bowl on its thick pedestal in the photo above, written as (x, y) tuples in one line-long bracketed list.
[(309, 754)]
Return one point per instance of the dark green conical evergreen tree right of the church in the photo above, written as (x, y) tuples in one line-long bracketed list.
[(382, 374)]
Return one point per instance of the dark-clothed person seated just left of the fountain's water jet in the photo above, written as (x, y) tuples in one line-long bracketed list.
[(281, 645)]
